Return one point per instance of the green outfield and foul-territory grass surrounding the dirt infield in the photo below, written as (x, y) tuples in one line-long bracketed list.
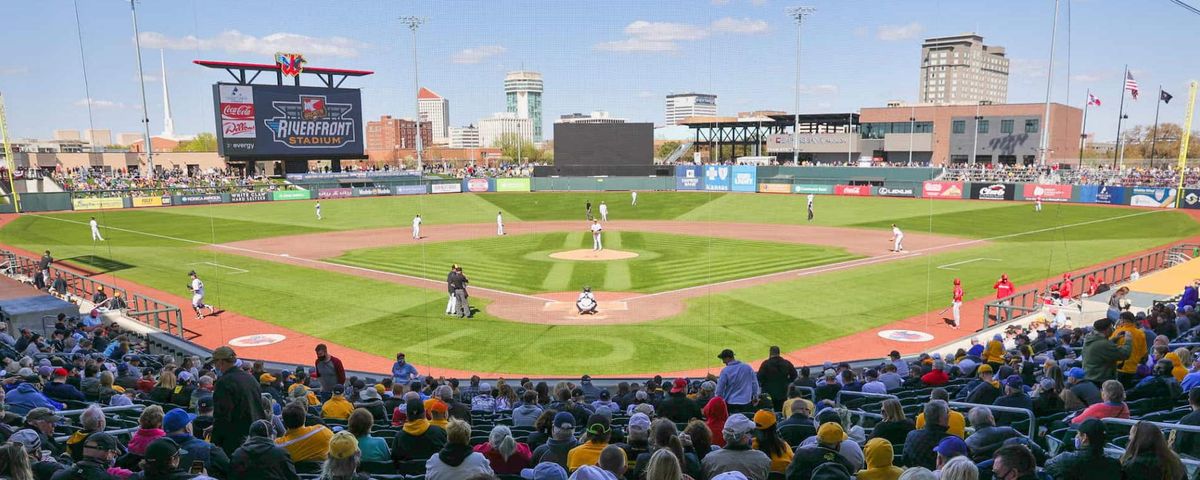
[(383, 319)]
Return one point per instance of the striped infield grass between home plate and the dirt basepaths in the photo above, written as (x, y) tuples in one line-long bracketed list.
[(667, 262)]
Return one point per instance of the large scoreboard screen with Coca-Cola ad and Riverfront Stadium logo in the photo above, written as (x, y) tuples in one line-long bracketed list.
[(284, 121)]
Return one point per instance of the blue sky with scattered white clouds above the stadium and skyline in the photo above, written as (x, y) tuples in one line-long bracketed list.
[(616, 56)]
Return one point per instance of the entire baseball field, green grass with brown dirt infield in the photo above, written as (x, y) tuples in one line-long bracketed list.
[(707, 271)]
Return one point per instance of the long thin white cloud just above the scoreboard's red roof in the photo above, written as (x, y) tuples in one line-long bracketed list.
[(233, 41)]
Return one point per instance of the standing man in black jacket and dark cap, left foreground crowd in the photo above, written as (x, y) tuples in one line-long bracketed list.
[(238, 401)]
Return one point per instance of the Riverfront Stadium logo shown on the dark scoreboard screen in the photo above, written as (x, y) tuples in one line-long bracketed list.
[(313, 123)]
